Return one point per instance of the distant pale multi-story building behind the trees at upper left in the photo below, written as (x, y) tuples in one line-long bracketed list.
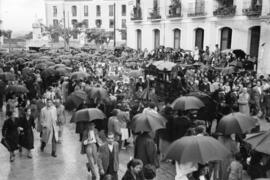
[(94, 13)]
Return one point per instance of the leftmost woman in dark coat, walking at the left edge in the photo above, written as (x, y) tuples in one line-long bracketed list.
[(10, 133)]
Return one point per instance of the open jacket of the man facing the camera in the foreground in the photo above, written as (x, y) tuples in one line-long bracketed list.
[(103, 160)]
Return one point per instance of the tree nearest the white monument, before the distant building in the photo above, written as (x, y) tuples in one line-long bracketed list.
[(65, 33)]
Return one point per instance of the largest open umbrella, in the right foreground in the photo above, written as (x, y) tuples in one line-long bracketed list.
[(197, 149)]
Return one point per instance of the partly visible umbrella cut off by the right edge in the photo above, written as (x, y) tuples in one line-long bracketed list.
[(260, 141)]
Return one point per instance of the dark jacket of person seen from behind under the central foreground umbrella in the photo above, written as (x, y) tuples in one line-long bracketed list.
[(146, 150)]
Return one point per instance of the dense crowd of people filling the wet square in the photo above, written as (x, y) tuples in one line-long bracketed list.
[(41, 87)]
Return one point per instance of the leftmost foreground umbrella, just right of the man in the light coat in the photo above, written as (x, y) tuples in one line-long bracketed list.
[(88, 115)]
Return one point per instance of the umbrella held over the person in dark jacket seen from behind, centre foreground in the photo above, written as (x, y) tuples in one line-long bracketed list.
[(148, 121)]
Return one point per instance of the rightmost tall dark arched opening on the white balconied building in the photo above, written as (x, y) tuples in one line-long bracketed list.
[(255, 33)]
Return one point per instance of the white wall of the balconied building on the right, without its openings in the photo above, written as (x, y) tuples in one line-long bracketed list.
[(239, 24)]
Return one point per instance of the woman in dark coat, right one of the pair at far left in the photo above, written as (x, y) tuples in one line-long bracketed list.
[(27, 122)]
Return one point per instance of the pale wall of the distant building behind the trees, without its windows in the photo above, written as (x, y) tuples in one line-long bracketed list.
[(64, 7)]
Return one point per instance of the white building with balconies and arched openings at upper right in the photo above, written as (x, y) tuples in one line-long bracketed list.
[(232, 24)]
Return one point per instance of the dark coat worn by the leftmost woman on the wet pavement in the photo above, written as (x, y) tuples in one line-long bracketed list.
[(11, 134)]
